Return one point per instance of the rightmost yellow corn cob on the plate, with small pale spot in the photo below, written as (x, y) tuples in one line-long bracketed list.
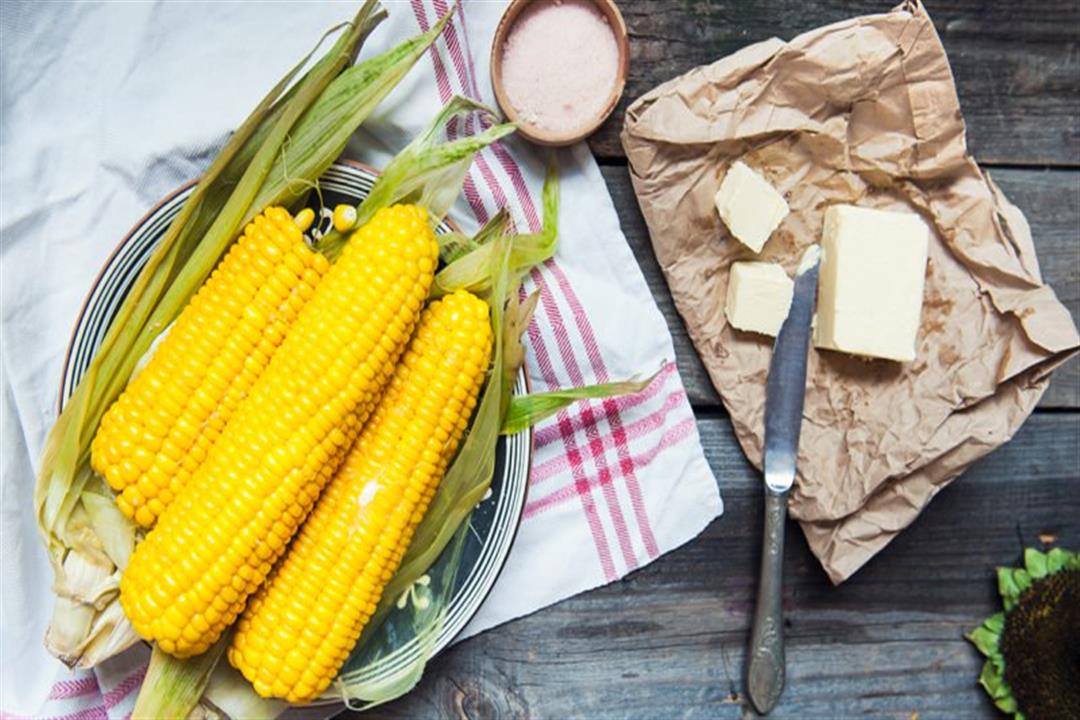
[(301, 627)]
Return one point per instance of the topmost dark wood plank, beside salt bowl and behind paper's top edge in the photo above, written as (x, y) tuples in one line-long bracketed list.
[(1017, 70)]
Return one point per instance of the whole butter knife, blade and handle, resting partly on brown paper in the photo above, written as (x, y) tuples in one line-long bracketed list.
[(786, 390)]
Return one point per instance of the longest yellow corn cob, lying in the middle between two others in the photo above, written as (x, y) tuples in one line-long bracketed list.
[(191, 578)]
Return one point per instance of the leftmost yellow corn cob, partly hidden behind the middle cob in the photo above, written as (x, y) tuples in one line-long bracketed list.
[(161, 428)]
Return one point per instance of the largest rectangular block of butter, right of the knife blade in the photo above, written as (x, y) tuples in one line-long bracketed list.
[(870, 292)]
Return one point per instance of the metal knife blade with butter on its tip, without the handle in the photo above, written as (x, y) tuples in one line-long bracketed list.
[(786, 388)]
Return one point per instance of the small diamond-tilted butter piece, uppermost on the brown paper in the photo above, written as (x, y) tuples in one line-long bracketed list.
[(750, 207)]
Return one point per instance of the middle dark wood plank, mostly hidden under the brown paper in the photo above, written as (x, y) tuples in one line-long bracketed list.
[(1050, 199)]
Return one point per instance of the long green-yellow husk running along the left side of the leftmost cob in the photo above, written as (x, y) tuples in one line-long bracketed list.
[(87, 539)]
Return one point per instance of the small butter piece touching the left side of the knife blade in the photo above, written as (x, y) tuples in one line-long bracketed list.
[(760, 296)]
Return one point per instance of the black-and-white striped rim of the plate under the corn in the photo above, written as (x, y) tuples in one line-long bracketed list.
[(467, 607)]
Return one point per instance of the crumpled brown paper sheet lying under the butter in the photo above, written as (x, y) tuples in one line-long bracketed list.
[(863, 112)]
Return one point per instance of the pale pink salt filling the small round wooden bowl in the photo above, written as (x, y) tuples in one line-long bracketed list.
[(560, 64)]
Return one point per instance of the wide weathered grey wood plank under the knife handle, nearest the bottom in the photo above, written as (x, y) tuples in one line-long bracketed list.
[(669, 641)]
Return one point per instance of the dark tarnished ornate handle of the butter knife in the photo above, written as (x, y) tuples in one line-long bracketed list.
[(765, 678)]
